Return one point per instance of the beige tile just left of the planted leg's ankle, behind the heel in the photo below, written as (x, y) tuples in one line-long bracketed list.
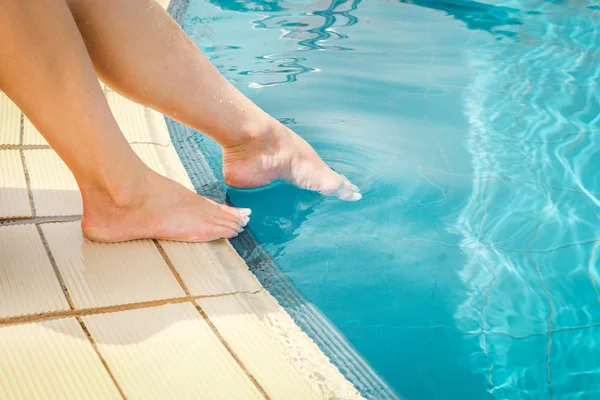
[(53, 186)]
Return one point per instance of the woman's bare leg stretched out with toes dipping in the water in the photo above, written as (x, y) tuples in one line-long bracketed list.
[(142, 53)]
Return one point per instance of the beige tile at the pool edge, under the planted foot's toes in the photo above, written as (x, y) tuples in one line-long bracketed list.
[(211, 268)]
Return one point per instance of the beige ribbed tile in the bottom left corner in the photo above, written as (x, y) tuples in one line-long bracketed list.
[(51, 360)]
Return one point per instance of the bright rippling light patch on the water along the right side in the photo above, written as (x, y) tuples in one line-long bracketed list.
[(531, 225)]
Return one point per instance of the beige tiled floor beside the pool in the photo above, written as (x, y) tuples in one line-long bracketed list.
[(145, 319)]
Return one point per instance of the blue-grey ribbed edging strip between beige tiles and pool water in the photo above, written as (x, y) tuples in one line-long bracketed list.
[(305, 315)]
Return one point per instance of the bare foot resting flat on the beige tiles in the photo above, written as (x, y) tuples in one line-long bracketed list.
[(158, 208)]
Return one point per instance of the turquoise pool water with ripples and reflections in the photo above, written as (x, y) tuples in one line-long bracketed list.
[(470, 268)]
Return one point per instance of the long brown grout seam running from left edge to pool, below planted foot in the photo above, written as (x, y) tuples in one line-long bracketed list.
[(36, 317)]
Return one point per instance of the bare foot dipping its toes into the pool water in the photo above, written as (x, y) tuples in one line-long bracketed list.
[(280, 154)]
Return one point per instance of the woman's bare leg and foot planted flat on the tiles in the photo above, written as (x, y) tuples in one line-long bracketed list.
[(46, 70)]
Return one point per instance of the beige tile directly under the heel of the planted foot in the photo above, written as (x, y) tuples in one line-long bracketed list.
[(105, 274)]
